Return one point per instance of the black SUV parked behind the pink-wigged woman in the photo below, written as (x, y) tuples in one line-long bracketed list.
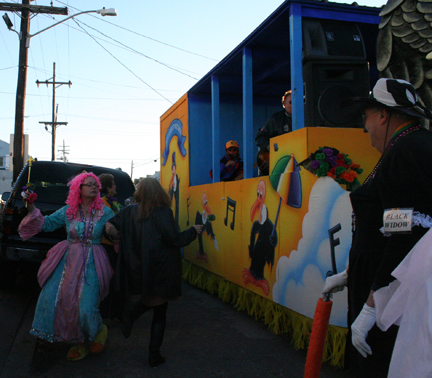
[(50, 179)]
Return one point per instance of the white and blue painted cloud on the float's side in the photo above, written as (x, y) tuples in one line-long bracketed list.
[(300, 277)]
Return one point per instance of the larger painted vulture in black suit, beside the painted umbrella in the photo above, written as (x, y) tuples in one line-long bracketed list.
[(263, 240)]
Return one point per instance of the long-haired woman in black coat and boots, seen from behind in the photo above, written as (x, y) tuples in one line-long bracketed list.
[(149, 262)]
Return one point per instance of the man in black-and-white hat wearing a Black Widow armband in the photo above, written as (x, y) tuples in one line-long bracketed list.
[(400, 181)]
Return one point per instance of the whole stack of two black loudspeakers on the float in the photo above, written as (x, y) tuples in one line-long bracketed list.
[(335, 68)]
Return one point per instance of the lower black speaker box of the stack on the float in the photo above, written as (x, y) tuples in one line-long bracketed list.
[(326, 85)]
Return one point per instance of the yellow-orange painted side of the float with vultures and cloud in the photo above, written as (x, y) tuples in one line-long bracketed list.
[(278, 235)]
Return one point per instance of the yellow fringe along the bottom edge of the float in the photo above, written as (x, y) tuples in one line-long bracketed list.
[(279, 319)]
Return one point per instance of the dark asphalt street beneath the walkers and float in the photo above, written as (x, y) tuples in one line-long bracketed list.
[(205, 337)]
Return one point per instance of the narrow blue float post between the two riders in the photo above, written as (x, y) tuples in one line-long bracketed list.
[(248, 135)]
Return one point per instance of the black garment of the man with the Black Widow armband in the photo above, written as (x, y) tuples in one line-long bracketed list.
[(403, 179)]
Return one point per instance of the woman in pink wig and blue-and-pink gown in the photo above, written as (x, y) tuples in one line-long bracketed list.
[(76, 272)]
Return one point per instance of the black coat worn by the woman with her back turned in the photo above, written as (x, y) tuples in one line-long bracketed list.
[(149, 261)]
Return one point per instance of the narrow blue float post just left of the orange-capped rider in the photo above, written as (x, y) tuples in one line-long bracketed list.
[(215, 128)]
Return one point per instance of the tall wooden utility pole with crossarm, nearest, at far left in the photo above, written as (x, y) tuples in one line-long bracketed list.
[(25, 8)]
